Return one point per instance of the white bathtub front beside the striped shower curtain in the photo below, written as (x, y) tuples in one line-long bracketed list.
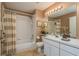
[(24, 46)]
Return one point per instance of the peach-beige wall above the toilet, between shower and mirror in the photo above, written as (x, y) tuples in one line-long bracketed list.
[(39, 17)]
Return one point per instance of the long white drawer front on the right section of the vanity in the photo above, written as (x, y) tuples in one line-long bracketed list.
[(70, 49)]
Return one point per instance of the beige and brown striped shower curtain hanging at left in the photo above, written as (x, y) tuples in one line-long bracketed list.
[(8, 41)]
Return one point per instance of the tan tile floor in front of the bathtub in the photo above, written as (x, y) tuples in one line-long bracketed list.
[(31, 52)]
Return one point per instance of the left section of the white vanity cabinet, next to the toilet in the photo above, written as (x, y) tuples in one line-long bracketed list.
[(51, 48)]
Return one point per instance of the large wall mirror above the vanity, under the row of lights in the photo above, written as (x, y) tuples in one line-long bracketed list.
[(63, 21)]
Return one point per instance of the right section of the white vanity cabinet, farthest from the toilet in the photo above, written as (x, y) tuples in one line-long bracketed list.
[(70, 50)]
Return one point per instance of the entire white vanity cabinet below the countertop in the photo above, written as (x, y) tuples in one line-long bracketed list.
[(53, 48)]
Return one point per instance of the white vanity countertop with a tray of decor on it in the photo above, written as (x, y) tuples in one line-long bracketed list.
[(73, 42)]
